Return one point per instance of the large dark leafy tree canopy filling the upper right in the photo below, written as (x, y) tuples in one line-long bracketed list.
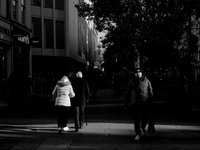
[(145, 28)]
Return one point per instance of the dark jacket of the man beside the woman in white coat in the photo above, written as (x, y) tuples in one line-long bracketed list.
[(81, 88)]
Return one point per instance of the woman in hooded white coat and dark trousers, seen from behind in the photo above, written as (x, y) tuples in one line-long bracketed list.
[(64, 92)]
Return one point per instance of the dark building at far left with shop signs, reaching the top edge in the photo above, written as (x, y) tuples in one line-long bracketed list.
[(15, 31)]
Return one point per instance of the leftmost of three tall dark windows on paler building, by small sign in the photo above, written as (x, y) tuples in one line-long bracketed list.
[(37, 29)]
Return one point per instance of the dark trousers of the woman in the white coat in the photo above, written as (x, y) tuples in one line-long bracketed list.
[(62, 116)]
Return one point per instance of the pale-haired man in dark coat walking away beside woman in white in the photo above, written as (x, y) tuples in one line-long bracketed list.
[(81, 89)]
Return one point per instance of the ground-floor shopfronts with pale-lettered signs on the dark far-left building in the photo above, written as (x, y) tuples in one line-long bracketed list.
[(14, 52)]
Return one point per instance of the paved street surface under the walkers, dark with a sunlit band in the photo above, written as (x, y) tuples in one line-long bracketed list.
[(109, 127)]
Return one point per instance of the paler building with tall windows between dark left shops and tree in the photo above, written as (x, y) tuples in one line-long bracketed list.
[(67, 42)]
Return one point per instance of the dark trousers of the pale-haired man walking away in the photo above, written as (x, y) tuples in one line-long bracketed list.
[(79, 116)]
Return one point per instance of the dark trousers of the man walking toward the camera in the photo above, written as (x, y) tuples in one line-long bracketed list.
[(140, 114)]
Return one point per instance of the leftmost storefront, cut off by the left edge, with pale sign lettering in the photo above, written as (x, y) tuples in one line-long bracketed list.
[(5, 46)]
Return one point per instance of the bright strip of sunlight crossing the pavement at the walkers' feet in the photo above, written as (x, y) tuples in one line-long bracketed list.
[(93, 128)]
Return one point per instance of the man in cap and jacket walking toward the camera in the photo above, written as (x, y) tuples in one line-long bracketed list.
[(138, 98)]
